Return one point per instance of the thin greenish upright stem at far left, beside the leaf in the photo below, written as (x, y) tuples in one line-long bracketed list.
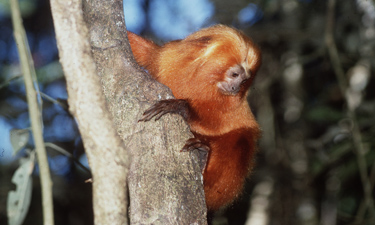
[(34, 102)]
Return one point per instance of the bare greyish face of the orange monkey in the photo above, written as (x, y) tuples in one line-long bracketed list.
[(235, 77)]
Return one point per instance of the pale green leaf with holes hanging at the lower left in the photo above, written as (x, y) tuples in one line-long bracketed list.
[(19, 200)]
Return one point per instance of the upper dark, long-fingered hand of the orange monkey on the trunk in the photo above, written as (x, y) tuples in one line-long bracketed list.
[(175, 106)]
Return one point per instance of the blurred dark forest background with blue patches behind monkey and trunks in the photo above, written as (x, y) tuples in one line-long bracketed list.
[(315, 107)]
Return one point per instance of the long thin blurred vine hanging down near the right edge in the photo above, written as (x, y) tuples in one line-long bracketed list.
[(357, 136)]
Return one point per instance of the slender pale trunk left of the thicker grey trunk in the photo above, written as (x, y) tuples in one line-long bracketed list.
[(105, 150)]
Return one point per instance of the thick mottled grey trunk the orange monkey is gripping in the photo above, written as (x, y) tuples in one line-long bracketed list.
[(165, 186)]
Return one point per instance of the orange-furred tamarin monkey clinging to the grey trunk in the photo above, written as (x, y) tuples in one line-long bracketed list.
[(209, 73)]
